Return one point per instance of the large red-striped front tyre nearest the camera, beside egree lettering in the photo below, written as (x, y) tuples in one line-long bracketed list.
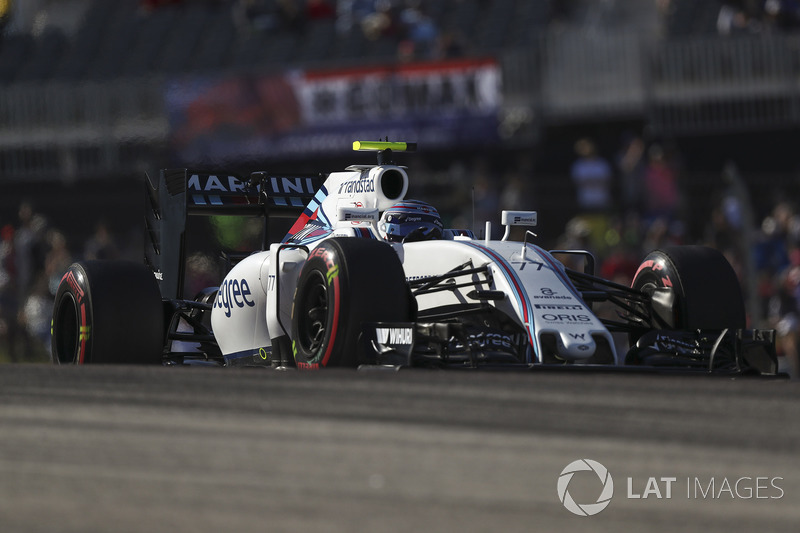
[(344, 283)]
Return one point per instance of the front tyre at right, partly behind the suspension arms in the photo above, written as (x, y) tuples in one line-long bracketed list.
[(705, 290)]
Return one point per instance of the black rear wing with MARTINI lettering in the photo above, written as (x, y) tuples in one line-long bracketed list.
[(178, 193)]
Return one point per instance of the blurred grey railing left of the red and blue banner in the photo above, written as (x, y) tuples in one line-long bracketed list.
[(66, 130)]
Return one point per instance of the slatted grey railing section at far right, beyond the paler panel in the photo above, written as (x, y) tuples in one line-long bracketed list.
[(725, 84)]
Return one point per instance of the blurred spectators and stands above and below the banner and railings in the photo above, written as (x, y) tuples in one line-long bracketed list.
[(619, 192)]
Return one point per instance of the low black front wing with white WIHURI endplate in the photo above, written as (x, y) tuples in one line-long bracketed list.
[(456, 345)]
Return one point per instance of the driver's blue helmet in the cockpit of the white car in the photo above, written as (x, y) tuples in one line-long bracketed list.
[(410, 220)]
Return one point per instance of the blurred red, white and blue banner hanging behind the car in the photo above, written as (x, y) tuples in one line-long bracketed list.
[(320, 112)]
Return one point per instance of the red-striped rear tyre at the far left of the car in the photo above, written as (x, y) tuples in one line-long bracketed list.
[(107, 312)]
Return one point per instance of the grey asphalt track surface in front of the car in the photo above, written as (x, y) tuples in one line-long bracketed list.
[(85, 449)]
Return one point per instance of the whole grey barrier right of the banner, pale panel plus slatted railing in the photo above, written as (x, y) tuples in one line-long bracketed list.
[(693, 85)]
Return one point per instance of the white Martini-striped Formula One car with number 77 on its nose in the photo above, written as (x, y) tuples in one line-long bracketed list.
[(366, 276)]
